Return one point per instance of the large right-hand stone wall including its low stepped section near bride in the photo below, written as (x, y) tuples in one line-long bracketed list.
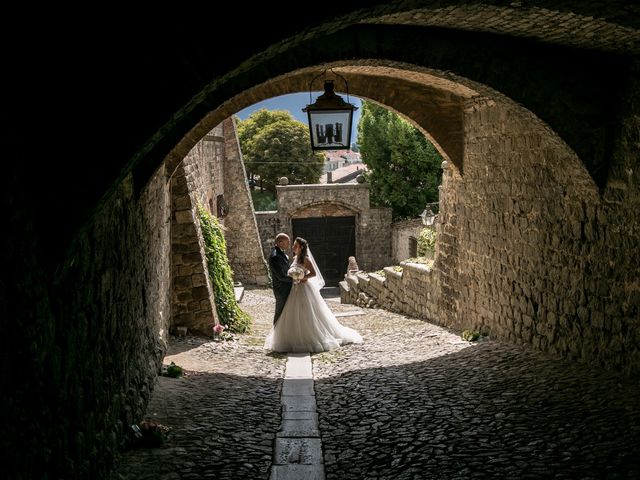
[(529, 251)]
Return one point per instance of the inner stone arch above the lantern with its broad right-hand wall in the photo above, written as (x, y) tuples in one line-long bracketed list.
[(508, 163)]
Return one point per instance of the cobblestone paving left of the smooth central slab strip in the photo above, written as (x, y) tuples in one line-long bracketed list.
[(225, 411)]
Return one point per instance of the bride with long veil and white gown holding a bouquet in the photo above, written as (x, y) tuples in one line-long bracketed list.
[(306, 323)]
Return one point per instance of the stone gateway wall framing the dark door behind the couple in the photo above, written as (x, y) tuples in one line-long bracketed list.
[(372, 225)]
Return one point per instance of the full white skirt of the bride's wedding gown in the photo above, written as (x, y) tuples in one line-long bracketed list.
[(308, 325)]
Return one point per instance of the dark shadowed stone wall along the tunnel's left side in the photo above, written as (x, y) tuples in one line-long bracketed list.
[(94, 353)]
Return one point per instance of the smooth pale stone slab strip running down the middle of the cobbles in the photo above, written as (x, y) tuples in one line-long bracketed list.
[(298, 449)]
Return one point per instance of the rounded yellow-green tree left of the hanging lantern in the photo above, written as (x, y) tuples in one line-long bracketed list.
[(276, 145)]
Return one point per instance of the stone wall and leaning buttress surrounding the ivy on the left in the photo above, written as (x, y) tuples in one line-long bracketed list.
[(212, 175)]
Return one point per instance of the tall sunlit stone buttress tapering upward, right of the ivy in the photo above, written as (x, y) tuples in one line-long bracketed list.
[(242, 237)]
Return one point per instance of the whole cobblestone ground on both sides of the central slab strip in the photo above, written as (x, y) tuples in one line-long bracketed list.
[(414, 401)]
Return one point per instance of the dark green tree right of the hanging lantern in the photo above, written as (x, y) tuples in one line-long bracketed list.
[(404, 168)]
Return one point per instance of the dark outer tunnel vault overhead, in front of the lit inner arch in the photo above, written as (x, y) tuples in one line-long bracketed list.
[(148, 83)]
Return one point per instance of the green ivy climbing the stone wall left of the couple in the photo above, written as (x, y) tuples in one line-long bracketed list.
[(221, 275)]
